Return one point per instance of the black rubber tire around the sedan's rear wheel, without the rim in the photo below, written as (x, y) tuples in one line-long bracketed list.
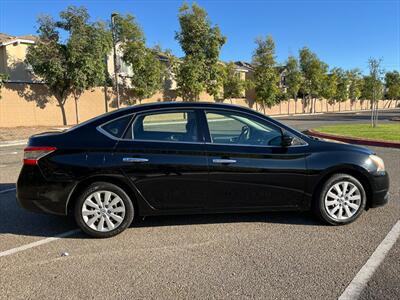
[(104, 186)]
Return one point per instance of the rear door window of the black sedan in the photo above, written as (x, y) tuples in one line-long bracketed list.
[(166, 126)]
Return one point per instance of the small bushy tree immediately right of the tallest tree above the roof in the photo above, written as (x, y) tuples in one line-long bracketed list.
[(232, 83)]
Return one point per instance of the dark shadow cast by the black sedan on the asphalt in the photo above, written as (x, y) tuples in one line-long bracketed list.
[(17, 221)]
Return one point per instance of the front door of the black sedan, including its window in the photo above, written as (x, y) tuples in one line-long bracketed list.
[(248, 169)]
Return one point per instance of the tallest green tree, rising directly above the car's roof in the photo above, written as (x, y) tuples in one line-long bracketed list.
[(201, 42)]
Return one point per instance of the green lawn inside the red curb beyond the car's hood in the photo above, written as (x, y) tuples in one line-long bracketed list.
[(388, 132)]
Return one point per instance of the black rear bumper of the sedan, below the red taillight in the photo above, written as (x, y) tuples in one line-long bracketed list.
[(35, 193)]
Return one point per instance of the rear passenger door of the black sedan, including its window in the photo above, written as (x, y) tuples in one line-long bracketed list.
[(163, 155)]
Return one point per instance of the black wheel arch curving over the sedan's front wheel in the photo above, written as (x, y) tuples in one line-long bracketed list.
[(352, 170)]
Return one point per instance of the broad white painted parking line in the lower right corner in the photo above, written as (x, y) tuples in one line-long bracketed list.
[(359, 282)]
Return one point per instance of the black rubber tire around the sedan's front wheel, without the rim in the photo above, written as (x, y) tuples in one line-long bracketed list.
[(319, 200)]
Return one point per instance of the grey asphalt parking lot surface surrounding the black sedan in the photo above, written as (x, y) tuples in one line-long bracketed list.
[(263, 255)]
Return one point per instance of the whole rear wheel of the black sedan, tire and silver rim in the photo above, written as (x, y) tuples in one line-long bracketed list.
[(103, 210)]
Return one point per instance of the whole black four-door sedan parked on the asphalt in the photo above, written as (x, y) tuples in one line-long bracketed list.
[(189, 158)]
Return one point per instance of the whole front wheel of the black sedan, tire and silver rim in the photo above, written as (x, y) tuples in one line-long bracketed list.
[(337, 208)]
